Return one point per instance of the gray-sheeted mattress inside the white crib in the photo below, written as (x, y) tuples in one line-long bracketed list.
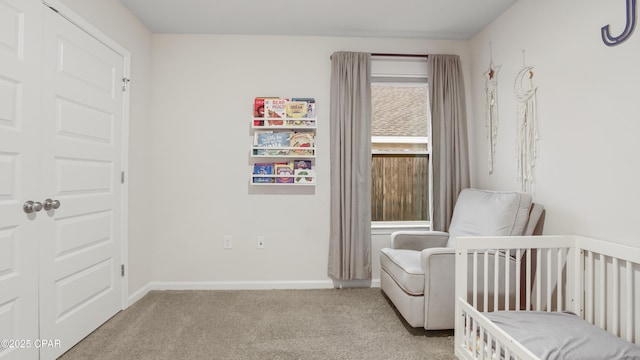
[(556, 335)]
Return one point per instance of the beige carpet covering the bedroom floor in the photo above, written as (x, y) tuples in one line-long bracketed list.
[(262, 324)]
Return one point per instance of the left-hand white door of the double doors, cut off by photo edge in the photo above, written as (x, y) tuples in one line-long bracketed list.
[(20, 32)]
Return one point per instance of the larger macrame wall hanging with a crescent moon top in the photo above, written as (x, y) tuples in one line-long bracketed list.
[(526, 126)]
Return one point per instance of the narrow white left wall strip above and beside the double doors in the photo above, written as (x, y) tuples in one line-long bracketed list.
[(115, 21)]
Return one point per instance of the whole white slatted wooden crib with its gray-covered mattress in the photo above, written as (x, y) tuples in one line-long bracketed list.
[(542, 276)]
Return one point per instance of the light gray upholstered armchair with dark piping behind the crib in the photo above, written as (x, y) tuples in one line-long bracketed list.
[(417, 271)]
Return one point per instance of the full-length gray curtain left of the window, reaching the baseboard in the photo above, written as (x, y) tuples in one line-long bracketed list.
[(350, 120)]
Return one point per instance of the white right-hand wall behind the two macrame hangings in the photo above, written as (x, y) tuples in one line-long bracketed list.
[(587, 170)]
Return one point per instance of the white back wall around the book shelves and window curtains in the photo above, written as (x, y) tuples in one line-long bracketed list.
[(203, 90)]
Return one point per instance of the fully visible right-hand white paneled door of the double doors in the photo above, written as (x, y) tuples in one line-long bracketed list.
[(80, 260)]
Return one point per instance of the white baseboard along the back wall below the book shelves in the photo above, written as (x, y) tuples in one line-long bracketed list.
[(243, 285)]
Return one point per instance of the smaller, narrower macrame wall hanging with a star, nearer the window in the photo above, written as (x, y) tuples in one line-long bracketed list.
[(491, 108)]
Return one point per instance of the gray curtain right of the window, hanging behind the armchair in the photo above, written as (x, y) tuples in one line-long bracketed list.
[(450, 151)]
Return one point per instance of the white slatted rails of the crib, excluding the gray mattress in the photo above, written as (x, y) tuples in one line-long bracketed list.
[(599, 281)]
